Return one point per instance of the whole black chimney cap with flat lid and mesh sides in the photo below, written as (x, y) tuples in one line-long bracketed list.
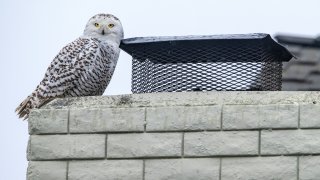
[(206, 63)]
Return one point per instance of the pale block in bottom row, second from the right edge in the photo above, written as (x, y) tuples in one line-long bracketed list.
[(266, 168)]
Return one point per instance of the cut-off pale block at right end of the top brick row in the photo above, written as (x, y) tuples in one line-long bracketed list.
[(310, 116)]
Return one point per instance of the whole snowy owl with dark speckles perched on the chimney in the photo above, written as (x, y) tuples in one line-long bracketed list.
[(82, 68)]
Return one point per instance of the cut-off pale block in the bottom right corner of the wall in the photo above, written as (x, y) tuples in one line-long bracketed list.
[(309, 167)]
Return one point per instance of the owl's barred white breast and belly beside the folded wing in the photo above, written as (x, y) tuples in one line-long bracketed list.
[(95, 72)]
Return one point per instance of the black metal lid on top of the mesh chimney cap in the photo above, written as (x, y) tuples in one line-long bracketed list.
[(189, 48)]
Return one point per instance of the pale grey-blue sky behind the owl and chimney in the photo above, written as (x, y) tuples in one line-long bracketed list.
[(33, 31)]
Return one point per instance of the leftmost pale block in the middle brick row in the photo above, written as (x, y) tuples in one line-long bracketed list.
[(50, 147)]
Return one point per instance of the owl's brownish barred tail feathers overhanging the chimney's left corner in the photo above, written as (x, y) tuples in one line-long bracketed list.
[(32, 101)]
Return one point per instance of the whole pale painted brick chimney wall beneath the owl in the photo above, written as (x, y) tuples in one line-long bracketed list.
[(217, 135)]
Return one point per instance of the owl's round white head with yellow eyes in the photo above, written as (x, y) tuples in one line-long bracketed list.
[(105, 27)]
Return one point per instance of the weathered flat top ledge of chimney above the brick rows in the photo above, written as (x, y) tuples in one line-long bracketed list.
[(187, 99)]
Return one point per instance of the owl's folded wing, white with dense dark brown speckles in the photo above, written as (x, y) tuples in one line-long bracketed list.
[(68, 66)]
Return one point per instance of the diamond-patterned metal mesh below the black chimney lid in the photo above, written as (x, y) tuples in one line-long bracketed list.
[(219, 76)]
